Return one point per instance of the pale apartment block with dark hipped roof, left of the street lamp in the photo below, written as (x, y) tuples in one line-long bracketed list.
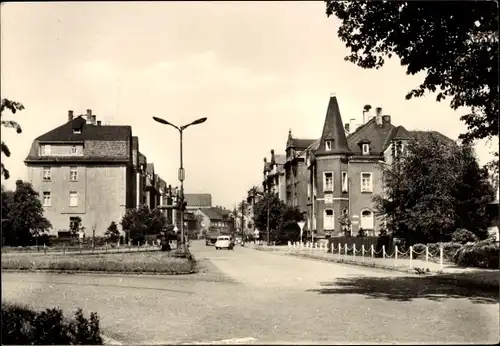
[(89, 170)]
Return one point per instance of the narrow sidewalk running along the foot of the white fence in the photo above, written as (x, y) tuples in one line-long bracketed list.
[(486, 278)]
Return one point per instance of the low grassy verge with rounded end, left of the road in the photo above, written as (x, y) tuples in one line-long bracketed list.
[(154, 262)]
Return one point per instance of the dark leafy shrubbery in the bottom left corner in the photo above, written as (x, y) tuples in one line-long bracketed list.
[(22, 326)]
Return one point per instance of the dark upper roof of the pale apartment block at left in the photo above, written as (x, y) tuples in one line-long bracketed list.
[(89, 132)]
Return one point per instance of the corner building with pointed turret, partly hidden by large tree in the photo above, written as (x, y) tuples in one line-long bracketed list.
[(345, 171)]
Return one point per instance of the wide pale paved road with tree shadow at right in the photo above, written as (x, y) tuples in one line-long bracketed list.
[(258, 297)]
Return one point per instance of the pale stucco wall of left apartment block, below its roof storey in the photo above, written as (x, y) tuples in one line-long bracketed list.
[(101, 195)]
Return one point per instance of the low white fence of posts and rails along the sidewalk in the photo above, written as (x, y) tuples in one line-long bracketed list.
[(399, 258)]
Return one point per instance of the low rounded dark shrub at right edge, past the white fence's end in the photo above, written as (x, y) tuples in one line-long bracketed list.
[(484, 254)]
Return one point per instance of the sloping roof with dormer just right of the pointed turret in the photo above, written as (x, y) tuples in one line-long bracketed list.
[(378, 137)]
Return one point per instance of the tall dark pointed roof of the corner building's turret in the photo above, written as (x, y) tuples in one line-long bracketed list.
[(333, 130)]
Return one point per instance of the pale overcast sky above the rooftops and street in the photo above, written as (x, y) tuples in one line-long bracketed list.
[(255, 69)]
